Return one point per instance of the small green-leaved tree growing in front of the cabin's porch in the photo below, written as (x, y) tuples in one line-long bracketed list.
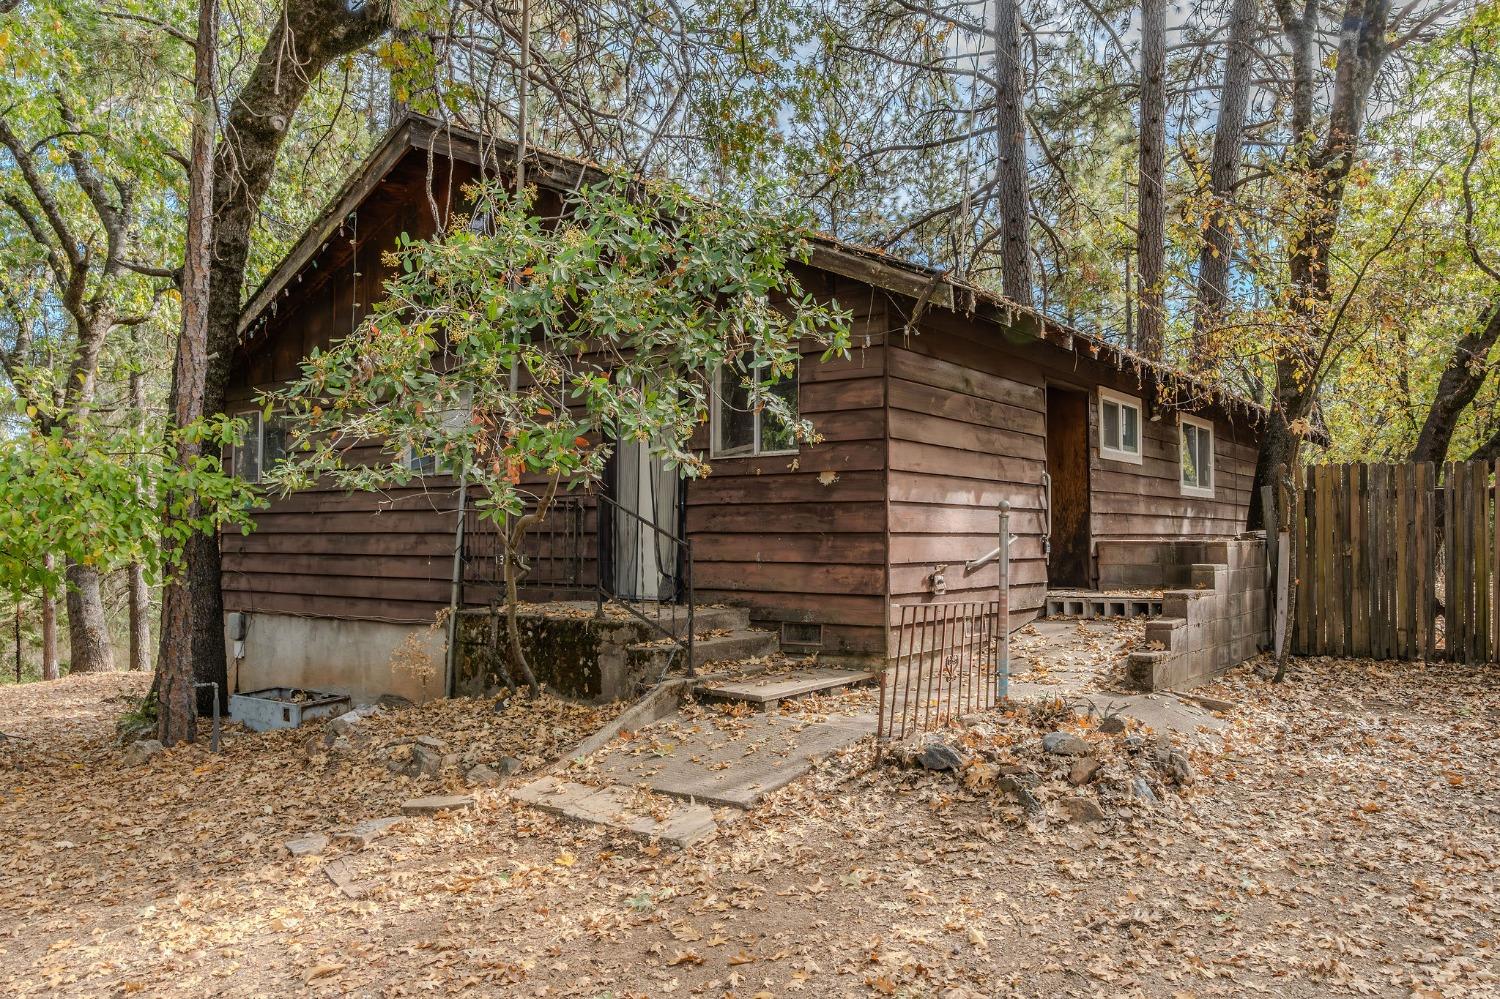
[(613, 316)]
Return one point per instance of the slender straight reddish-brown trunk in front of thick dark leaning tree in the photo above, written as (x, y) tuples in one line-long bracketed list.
[(176, 694)]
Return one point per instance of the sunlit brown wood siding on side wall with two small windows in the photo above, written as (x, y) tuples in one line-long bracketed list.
[(968, 430)]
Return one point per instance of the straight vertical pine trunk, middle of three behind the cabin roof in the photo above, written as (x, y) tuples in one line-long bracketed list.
[(1151, 235)]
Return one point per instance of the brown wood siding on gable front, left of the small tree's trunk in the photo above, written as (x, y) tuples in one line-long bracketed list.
[(323, 553)]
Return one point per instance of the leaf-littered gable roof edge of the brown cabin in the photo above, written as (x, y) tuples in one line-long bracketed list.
[(928, 287)]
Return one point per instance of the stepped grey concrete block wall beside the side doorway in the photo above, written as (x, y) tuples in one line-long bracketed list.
[(1216, 625)]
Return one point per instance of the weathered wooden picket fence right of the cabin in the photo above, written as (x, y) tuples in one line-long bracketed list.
[(1394, 563)]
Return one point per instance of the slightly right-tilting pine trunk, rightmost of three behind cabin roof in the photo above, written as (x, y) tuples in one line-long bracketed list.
[(1219, 242)]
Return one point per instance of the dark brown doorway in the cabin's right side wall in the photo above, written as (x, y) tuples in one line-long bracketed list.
[(1069, 466)]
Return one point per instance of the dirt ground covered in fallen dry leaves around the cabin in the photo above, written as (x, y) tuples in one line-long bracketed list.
[(1345, 842)]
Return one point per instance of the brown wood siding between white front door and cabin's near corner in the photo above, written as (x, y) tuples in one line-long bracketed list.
[(802, 538)]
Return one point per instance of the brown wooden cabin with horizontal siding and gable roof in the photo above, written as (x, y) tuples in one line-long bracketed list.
[(950, 403)]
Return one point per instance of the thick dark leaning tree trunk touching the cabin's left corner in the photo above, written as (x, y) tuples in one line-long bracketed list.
[(307, 38)]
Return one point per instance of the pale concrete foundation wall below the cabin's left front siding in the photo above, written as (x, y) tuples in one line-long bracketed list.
[(364, 659)]
